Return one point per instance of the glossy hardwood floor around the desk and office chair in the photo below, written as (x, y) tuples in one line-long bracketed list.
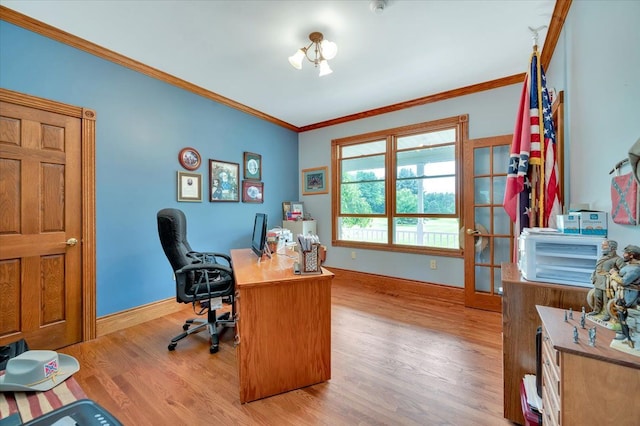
[(396, 360)]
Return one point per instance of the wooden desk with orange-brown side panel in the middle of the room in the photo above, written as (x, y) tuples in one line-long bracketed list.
[(283, 325)]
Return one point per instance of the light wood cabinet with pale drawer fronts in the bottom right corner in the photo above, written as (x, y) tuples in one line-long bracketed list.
[(583, 384)]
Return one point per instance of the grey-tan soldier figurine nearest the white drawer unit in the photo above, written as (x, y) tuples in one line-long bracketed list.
[(597, 296)]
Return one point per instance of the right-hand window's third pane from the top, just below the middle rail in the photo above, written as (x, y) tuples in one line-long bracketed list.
[(434, 195)]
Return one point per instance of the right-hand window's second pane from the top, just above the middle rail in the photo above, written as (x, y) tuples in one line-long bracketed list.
[(427, 162)]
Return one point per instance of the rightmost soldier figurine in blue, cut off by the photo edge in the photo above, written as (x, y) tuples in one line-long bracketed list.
[(627, 285)]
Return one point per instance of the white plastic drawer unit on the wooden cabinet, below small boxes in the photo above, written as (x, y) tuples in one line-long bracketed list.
[(559, 258)]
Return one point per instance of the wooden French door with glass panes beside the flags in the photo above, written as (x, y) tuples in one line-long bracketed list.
[(488, 232)]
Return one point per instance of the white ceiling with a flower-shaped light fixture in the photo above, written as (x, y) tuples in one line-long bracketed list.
[(239, 49)]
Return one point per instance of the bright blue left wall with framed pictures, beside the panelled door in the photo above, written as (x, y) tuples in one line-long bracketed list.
[(142, 124)]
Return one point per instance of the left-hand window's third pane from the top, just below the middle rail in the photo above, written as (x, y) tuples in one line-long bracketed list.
[(362, 198)]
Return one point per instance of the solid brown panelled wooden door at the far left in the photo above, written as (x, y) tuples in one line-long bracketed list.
[(41, 225)]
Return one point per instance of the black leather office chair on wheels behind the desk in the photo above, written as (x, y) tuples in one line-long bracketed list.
[(200, 278)]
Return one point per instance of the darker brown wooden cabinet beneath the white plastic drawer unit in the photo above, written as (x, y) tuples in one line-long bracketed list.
[(520, 322)]
